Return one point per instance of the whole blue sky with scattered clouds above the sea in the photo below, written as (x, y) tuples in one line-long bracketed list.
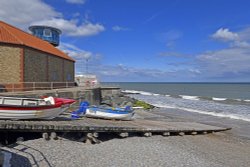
[(146, 40)]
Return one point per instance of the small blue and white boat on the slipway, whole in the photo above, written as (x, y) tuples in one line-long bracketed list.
[(110, 113)]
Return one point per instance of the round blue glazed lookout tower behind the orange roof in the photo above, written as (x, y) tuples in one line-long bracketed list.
[(50, 34)]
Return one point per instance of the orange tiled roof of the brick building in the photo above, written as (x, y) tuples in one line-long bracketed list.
[(12, 35)]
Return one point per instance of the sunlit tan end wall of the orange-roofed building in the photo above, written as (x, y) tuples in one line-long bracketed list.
[(10, 58)]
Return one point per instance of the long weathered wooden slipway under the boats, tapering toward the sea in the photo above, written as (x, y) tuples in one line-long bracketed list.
[(89, 125)]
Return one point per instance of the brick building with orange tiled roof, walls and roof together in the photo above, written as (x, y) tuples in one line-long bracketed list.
[(25, 58)]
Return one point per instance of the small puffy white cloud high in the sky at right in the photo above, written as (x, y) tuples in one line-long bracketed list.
[(225, 35)]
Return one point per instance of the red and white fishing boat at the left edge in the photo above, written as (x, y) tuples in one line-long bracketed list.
[(18, 108)]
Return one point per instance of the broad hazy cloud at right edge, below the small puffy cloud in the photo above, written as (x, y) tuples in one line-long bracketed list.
[(234, 61)]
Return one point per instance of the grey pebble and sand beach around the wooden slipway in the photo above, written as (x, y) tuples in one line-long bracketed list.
[(230, 148)]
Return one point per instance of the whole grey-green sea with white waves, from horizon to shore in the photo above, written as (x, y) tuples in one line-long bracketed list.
[(228, 100)]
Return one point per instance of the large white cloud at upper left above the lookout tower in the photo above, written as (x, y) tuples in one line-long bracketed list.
[(29, 12)]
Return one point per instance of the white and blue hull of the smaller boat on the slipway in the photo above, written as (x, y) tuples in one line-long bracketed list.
[(108, 114)]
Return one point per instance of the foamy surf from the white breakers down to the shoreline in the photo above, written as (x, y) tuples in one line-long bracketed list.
[(219, 107)]
